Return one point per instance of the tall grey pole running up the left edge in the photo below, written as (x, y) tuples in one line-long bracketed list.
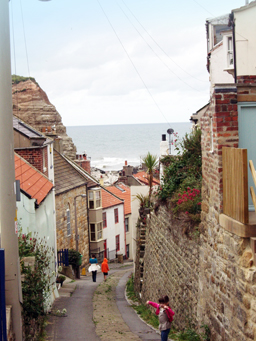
[(9, 239)]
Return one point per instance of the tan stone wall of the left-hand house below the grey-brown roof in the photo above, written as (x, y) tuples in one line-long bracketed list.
[(63, 240)]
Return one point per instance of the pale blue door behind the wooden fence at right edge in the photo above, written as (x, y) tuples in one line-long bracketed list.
[(247, 137)]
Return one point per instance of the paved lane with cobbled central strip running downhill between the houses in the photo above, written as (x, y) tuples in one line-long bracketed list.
[(98, 311)]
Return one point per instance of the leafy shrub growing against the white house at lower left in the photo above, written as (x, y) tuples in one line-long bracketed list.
[(36, 285)]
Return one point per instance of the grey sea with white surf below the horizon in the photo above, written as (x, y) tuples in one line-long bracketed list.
[(109, 146)]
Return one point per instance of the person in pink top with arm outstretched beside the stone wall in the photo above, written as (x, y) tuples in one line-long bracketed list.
[(165, 315)]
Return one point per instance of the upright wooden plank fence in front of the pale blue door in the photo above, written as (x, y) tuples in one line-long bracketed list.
[(235, 183)]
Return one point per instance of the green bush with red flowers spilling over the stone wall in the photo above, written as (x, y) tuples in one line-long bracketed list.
[(182, 177)]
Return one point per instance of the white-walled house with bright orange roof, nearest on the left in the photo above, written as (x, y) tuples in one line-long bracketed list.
[(35, 210)]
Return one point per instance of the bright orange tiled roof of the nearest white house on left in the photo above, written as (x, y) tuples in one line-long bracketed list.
[(32, 182)]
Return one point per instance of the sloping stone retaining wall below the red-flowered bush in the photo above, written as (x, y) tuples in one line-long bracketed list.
[(171, 265)]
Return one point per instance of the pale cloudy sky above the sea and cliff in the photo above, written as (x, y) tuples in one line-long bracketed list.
[(116, 61)]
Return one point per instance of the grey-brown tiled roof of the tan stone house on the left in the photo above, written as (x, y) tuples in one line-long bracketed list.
[(68, 175)]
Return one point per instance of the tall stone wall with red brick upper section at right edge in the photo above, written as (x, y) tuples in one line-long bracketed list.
[(227, 277)]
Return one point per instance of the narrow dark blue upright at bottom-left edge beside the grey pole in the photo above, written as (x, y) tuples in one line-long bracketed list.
[(3, 331)]
